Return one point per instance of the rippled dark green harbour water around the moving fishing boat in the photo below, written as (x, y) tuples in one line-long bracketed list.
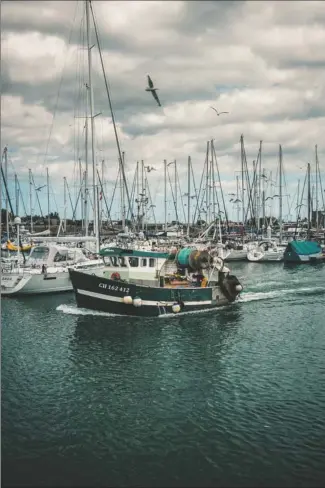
[(235, 397)]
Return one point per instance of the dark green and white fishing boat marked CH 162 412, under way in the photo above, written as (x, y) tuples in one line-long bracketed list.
[(150, 284)]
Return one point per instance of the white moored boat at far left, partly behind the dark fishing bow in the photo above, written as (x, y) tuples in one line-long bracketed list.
[(45, 270)]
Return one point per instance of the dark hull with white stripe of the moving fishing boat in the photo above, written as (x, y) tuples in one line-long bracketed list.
[(122, 298)]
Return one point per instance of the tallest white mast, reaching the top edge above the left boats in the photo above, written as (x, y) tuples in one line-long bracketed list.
[(92, 126)]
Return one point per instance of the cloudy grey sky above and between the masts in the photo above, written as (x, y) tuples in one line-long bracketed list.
[(261, 61)]
